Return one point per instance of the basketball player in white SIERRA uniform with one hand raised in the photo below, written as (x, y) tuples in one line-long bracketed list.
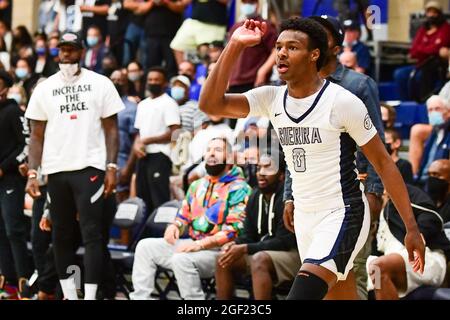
[(319, 125)]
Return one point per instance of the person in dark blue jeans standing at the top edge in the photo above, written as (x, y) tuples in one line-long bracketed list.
[(135, 35)]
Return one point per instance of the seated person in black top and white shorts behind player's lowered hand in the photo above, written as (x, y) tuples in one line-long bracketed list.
[(397, 277)]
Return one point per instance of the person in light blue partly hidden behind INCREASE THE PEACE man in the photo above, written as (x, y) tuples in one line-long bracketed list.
[(126, 118)]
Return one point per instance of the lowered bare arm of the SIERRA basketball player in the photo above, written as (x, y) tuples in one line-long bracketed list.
[(376, 153)]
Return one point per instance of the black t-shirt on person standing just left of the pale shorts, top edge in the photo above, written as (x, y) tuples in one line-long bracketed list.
[(161, 21)]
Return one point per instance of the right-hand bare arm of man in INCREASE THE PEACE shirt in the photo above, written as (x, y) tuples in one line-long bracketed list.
[(111, 130)]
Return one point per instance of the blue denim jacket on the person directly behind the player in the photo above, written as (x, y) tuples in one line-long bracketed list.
[(365, 89)]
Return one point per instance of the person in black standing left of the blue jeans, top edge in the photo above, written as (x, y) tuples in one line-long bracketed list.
[(118, 19)]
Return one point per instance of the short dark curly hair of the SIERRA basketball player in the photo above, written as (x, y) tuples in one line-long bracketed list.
[(318, 38)]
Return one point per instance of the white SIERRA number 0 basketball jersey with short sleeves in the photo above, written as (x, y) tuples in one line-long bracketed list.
[(319, 135)]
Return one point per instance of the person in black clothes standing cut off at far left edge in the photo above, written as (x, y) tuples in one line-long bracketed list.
[(14, 262)]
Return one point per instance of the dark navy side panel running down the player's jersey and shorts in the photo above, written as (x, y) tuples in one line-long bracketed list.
[(354, 208)]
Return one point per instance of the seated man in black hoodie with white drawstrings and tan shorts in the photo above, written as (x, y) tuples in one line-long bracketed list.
[(265, 249)]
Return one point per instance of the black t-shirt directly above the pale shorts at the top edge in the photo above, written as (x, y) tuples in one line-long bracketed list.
[(209, 11)]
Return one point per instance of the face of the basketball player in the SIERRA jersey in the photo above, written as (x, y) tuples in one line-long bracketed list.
[(293, 56)]
